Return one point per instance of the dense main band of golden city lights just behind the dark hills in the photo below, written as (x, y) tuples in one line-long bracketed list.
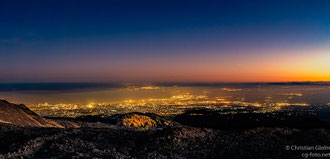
[(150, 106)]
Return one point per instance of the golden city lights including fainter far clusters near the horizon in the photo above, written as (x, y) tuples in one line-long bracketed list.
[(181, 101)]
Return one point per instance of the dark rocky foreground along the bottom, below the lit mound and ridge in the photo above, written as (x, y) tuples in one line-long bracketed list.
[(175, 142)]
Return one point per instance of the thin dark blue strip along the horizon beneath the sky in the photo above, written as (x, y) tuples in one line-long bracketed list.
[(95, 86)]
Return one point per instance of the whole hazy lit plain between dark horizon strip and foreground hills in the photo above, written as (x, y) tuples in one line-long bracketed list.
[(170, 100)]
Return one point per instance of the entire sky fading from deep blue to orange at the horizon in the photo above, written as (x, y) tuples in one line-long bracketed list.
[(164, 41)]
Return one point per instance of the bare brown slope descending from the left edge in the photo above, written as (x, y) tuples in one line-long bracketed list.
[(20, 115)]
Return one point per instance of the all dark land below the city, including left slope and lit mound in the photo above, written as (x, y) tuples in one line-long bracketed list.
[(194, 134)]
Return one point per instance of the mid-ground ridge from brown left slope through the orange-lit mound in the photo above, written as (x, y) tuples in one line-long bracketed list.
[(20, 115)]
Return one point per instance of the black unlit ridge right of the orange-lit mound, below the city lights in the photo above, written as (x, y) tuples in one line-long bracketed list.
[(216, 119)]
